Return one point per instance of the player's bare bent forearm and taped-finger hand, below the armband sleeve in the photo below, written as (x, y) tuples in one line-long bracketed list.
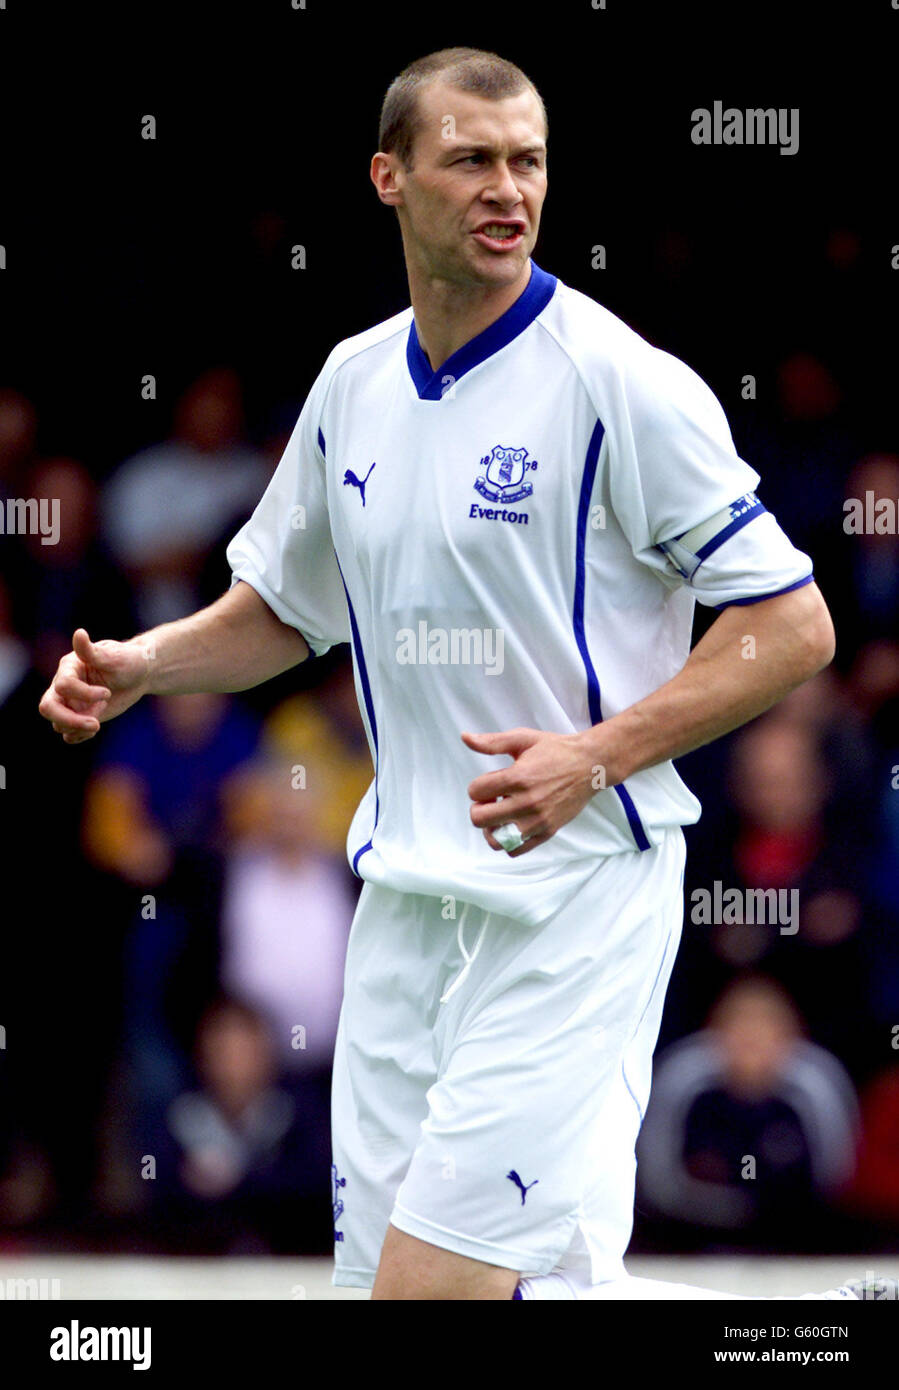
[(726, 682)]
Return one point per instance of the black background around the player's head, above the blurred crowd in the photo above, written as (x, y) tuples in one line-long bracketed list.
[(134, 256)]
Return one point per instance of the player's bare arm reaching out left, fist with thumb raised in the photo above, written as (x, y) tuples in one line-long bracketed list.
[(231, 646)]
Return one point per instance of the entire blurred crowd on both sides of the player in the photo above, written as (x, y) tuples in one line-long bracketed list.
[(179, 896)]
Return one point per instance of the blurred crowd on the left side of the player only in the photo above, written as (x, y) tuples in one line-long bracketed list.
[(173, 967)]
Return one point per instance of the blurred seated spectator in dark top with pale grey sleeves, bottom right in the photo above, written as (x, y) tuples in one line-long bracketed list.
[(751, 1129)]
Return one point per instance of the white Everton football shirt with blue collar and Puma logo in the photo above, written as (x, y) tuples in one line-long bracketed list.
[(490, 539)]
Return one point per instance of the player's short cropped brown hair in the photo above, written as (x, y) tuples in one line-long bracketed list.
[(468, 70)]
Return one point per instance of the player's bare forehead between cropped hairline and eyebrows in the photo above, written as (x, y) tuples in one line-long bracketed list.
[(512, 120)]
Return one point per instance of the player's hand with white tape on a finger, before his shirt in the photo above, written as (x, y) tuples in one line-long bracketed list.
[(547, 786)]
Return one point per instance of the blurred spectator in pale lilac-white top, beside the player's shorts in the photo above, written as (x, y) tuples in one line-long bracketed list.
[(287, 918)]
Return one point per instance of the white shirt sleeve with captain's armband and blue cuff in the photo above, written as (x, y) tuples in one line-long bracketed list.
[(686, 500)]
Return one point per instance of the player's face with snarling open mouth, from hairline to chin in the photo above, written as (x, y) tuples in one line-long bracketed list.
[(470, 208)]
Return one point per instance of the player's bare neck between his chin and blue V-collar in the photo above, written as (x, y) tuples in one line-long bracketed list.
[(449, 315)]
